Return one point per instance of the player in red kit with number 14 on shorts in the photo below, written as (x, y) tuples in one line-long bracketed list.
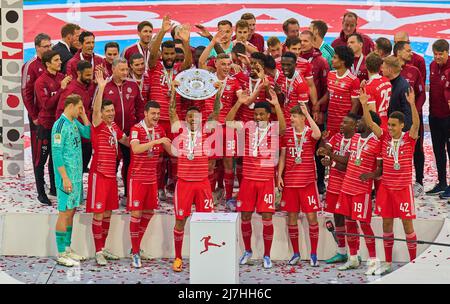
[(300, 191)]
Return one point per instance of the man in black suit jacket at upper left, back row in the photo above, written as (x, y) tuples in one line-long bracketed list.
[(69, 43)]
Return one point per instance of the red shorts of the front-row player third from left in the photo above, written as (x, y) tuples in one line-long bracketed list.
[(142, 196)]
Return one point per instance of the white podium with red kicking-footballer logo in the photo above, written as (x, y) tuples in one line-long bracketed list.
[(214, 256)]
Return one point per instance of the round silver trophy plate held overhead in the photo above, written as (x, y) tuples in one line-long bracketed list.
[(196, 84)]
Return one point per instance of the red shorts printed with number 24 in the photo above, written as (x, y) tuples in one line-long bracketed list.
[(197, 192)]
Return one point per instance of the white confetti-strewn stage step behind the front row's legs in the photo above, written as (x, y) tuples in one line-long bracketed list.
[(27, 227)]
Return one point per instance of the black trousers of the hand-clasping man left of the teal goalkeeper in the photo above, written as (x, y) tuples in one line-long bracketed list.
[(42, 154)]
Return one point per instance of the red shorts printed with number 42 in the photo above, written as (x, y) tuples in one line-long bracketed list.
[(396, 203)]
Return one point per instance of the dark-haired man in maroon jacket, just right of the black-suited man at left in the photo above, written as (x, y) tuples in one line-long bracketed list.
[(87, 41)]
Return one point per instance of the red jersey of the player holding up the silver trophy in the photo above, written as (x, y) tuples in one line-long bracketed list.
[(197, 144)]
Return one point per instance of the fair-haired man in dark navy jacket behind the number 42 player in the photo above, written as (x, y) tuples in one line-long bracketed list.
[(391, 69)]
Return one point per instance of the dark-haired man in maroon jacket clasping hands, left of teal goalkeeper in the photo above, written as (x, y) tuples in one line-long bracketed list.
[(48, 88)]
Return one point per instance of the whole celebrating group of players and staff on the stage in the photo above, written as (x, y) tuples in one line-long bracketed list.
[(88, 113)]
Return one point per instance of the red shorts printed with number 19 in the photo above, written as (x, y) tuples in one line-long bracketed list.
[(357, 207)]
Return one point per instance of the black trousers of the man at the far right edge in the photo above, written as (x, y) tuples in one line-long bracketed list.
[(440, 137)]
